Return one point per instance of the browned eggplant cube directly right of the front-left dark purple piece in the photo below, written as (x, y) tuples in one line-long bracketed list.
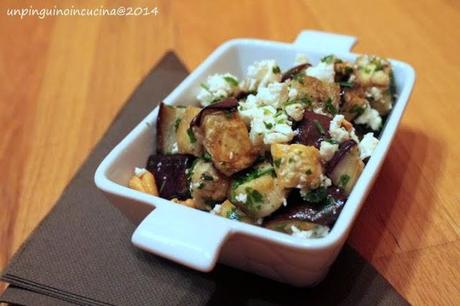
[(207, 185)]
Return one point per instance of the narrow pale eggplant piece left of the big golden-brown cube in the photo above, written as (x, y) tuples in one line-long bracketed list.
[(187, 141)]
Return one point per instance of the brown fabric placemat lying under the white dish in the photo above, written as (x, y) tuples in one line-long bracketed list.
[(81, 253)]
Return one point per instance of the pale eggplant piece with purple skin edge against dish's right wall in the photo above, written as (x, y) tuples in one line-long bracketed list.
[(346, 166)]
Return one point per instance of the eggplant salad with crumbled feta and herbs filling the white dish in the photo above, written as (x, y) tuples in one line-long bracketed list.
[(277, 149)]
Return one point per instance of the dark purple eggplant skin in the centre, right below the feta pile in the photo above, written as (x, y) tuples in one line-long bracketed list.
[(312, 129)]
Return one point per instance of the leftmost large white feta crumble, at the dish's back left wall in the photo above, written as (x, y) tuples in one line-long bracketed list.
[(216, 87)]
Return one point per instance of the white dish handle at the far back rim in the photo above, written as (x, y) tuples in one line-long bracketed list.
[(325, 41)]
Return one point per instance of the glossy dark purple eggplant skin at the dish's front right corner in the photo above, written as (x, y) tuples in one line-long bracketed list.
[(300, 210)]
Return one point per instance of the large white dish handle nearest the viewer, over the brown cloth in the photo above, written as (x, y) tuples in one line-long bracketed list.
[(169, 232)]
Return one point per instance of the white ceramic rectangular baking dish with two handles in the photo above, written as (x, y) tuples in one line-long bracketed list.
[(198, 239)]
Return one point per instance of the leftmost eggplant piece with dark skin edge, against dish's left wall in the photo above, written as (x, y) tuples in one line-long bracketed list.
[(168, 121)]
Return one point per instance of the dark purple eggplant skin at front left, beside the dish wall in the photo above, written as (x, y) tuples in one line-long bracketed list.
[(170, 174)]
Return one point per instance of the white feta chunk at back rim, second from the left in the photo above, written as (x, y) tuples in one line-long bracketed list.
[(260, 74)]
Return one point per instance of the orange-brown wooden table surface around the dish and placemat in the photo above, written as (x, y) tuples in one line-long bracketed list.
[(63, 79)]
